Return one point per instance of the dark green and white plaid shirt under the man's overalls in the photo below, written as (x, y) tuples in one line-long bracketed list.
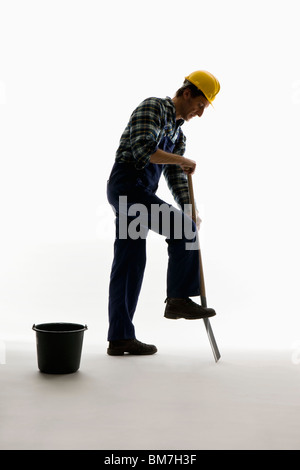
[(152, 120)]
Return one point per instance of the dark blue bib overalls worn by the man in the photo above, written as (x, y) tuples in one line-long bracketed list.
[(139, 186)]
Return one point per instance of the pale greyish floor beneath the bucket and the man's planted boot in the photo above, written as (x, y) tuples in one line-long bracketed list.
[(176, 399)]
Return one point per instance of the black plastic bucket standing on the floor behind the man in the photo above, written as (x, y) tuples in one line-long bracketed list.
[(59, 347)]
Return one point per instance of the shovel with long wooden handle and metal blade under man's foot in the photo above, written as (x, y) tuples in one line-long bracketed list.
[(208, 327)]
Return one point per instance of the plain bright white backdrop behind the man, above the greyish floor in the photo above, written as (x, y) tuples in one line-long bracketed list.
[(71, 72)]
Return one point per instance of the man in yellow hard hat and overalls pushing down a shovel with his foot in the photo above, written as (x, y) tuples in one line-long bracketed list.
[(153, 144)]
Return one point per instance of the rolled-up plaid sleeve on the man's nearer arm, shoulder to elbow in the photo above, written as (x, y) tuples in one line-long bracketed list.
[(146, 124)]
